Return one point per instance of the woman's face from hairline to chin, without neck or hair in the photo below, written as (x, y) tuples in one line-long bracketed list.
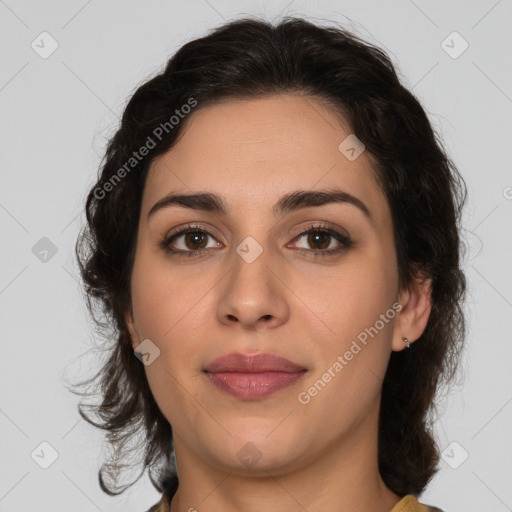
[(315, 283)]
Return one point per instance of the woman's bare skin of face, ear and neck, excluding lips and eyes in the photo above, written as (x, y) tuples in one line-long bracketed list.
[(316, 456)]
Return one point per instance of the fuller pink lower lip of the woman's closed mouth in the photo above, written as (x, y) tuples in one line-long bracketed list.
[(252, 386)]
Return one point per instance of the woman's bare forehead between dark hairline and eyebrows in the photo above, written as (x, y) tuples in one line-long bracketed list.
[(256, 150)]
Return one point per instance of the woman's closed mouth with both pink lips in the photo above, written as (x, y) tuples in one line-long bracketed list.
[(252, 377)]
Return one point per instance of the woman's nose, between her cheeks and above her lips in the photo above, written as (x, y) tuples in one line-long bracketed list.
[(253, 295)]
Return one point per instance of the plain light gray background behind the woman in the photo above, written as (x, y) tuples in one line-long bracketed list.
[(57, 113)]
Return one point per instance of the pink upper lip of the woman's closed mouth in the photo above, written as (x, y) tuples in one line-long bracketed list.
[(256, 363)]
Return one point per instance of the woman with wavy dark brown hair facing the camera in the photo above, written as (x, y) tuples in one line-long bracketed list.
[(274, 240)]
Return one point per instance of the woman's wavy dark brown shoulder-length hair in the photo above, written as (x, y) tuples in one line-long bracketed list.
[(252, 58)]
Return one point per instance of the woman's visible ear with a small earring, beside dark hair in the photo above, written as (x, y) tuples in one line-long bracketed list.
[(413, 317)]
